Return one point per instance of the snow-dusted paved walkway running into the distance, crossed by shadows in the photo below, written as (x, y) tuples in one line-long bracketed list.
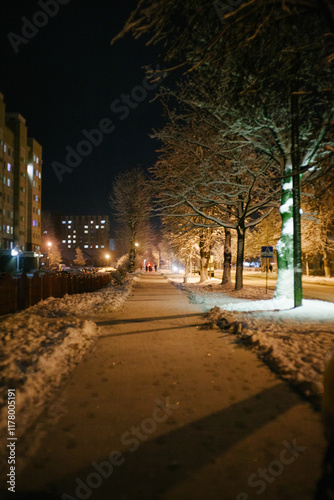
[(161, 409)]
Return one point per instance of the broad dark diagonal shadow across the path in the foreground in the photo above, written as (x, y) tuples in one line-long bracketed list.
[(160, 463)]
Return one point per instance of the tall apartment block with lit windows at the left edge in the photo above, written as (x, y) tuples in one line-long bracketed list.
[(20, 193)]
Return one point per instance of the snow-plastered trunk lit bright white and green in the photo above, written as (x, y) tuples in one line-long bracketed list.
[(284, 247)]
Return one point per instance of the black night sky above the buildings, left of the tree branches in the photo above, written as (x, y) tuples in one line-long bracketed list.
[(64, 80)]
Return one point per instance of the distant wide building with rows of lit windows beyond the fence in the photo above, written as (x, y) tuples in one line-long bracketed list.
[(88, 232)]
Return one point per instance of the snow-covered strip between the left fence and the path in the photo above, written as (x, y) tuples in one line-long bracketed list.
[(41, 345)]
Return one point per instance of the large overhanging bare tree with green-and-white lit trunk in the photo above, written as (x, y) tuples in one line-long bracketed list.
[(270, 63)]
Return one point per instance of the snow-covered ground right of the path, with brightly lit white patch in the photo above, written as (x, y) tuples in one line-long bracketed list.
[(296, 343)]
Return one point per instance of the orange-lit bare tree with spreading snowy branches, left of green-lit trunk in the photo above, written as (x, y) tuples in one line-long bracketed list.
[(210, 184)]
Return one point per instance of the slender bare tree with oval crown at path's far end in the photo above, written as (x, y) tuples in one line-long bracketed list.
[(130, 201)]
